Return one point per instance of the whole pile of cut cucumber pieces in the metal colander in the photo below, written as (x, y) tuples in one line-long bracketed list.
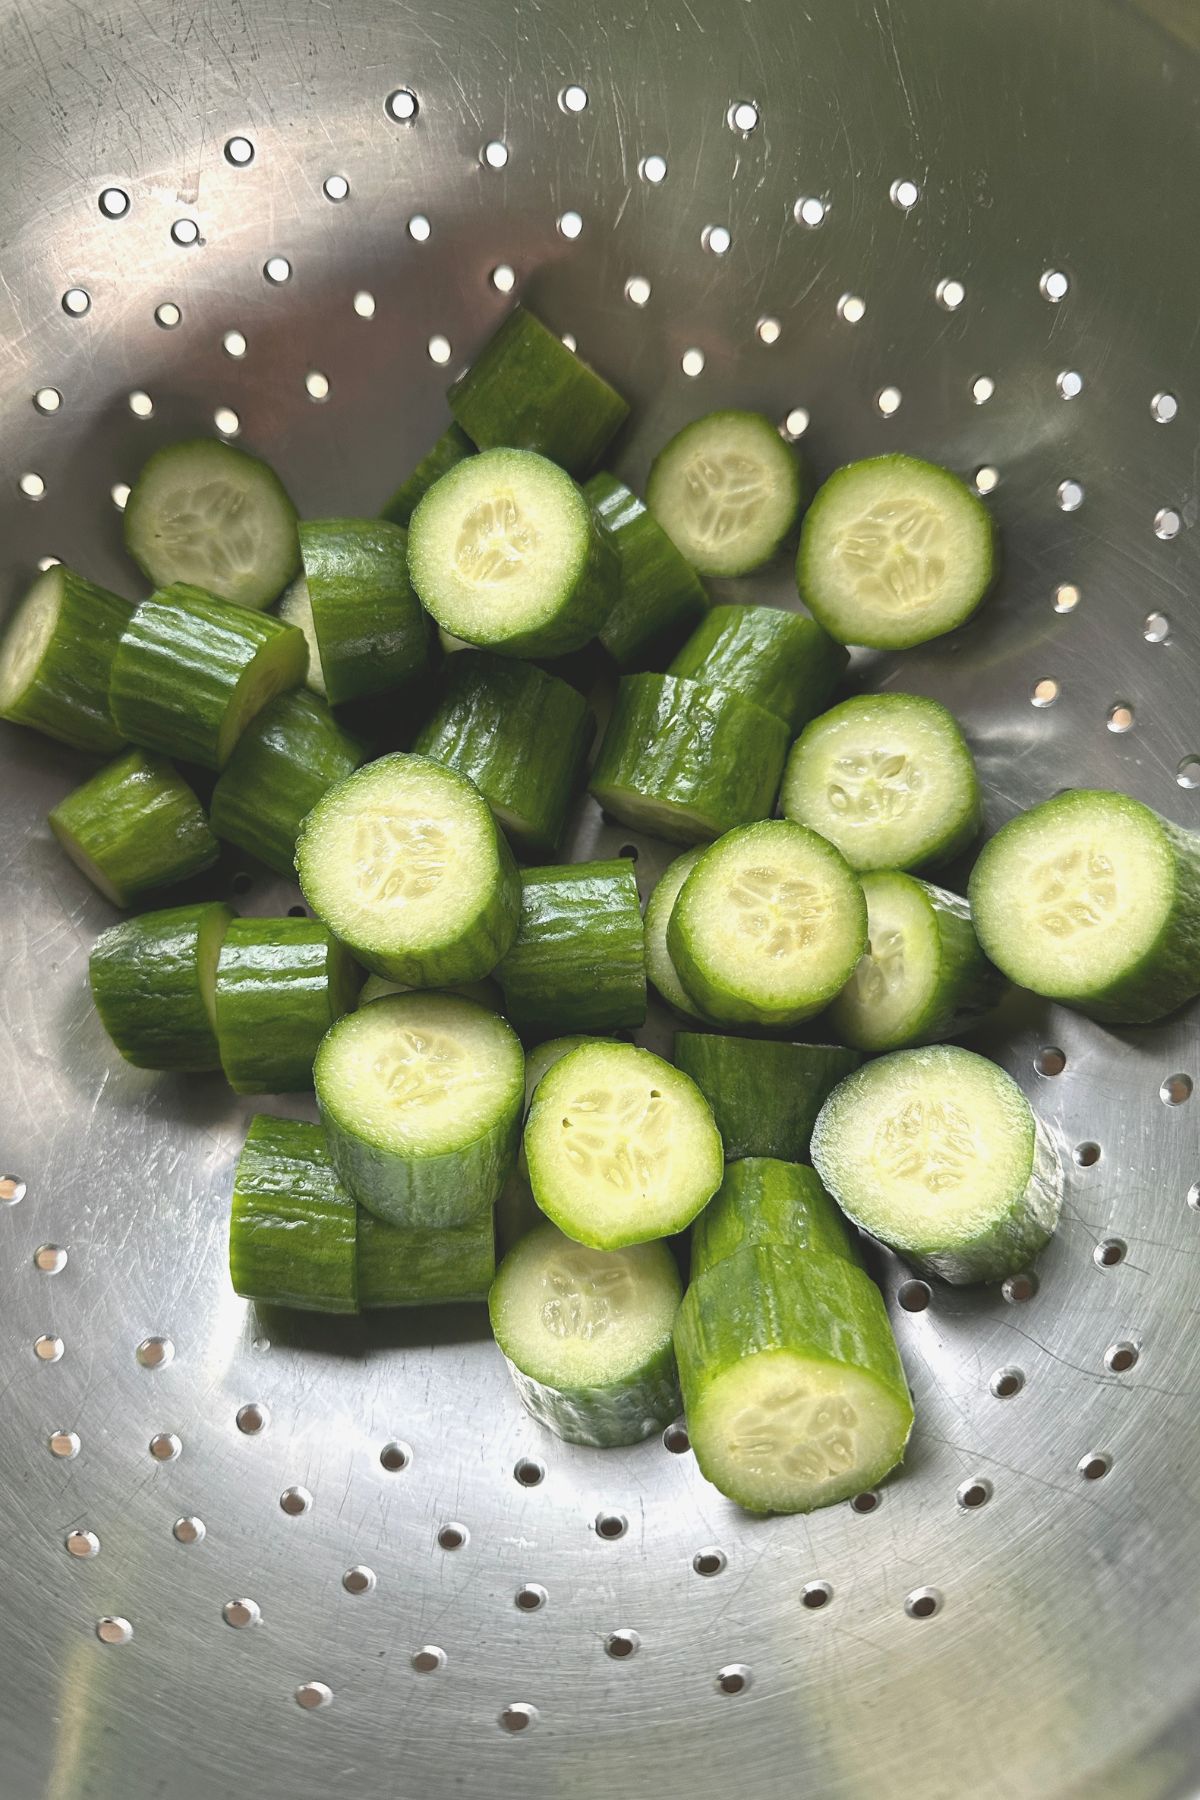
[(474, 611)]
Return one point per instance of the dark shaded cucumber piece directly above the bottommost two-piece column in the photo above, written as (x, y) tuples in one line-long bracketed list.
[(766, 1095)]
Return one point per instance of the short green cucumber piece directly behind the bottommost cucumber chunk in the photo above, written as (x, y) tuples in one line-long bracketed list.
[(766, 1201)]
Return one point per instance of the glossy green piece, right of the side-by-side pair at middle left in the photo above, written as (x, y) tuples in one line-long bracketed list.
[(280, 985)]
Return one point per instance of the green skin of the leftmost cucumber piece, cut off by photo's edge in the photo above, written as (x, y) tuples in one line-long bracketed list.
[(67, 692)]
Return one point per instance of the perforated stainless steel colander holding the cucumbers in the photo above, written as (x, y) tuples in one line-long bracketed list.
[(258, 1556)]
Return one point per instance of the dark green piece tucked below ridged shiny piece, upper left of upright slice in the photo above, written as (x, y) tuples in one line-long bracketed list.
[(282, 766)]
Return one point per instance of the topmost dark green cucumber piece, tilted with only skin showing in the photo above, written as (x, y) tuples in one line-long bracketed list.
[(530, 391)]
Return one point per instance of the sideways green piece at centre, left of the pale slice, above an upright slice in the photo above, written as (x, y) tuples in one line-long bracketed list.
[(688, 762)]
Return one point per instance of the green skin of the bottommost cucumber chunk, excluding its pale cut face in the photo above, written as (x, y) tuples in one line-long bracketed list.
[(819, 1308)]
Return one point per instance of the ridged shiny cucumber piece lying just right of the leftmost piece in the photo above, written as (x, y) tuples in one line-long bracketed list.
[(192, 672)]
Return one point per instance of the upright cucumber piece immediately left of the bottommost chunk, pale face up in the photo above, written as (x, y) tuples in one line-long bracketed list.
[(587, 1336)]
